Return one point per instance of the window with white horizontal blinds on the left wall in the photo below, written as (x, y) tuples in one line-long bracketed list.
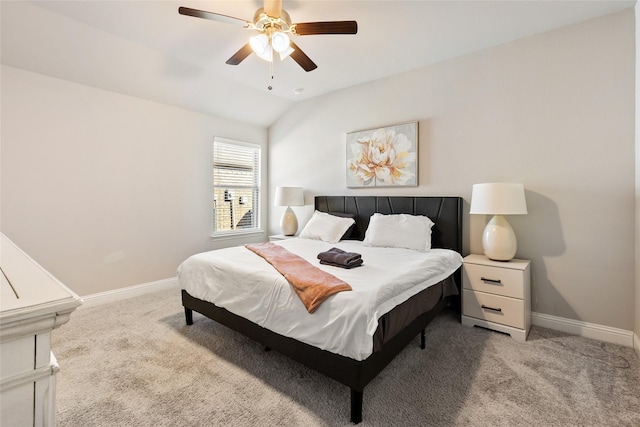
[(236, 186)]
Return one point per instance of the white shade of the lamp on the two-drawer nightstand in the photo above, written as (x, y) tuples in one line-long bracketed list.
[(498, 198)]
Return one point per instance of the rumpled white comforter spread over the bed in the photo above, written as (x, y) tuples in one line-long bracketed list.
[(245, 284)]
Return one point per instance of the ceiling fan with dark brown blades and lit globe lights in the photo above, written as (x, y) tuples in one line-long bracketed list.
[(273, 25)]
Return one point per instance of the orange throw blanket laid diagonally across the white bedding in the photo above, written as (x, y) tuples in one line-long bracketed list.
[(312, 285)]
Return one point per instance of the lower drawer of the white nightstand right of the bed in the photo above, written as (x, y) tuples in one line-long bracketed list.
[(494, 308)]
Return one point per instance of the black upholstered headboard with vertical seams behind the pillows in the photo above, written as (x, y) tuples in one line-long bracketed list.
[(445, 212)]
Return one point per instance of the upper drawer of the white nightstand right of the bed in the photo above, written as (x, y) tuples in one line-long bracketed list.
[(501, 281)]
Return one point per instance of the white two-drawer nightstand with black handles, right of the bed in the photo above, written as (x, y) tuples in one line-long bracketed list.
[(497, 295)]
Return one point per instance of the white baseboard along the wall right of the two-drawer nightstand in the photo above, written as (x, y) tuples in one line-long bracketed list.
[(587, 330)]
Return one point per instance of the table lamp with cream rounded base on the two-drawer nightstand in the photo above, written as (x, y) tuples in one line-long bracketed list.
[(498, 199)]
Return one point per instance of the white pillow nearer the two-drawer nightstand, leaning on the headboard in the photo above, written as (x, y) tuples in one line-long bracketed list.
[(399, 231)]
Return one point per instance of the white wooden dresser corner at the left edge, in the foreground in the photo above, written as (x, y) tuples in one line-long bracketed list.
[(32, 304)]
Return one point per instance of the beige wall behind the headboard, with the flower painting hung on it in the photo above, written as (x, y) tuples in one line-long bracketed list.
[(554, 111)]
